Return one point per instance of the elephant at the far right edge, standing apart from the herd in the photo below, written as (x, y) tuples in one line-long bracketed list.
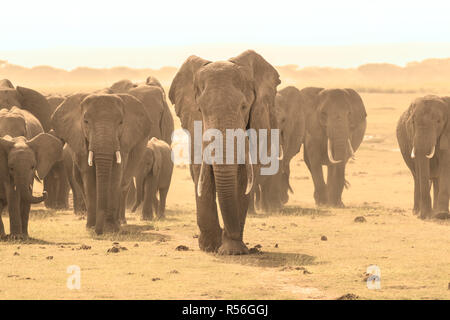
[(423, 135)]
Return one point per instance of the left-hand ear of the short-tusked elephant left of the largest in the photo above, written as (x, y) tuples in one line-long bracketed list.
[(66, 121)]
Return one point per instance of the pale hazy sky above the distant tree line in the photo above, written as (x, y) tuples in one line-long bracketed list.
[(71, 33)]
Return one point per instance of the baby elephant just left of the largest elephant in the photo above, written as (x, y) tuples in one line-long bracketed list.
[(155, 173)]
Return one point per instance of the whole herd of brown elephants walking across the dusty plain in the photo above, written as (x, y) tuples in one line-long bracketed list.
[(112, 147)]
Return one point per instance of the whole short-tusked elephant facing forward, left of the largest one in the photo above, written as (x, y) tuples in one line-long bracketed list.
[(108, 134)]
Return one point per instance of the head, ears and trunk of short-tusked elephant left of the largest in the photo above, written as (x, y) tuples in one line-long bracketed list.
[(102, 129)]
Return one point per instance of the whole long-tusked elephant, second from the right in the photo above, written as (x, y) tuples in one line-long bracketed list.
[(335, 127)]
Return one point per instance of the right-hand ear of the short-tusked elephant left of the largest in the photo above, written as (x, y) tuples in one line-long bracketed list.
[(135, 122)]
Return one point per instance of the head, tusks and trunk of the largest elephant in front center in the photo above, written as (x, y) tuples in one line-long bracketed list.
[(234, 94)]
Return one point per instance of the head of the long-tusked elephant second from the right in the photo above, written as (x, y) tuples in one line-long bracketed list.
[(338, 112)]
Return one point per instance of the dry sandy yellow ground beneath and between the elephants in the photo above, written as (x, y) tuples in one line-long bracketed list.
[(412, 255)]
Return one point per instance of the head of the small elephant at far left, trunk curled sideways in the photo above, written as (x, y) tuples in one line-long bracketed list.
[(21, 158)]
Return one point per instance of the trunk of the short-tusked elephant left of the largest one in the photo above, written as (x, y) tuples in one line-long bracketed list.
[(103, 165)]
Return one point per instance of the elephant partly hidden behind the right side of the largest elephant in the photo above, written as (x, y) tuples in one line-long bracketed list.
[(272, 192)]
